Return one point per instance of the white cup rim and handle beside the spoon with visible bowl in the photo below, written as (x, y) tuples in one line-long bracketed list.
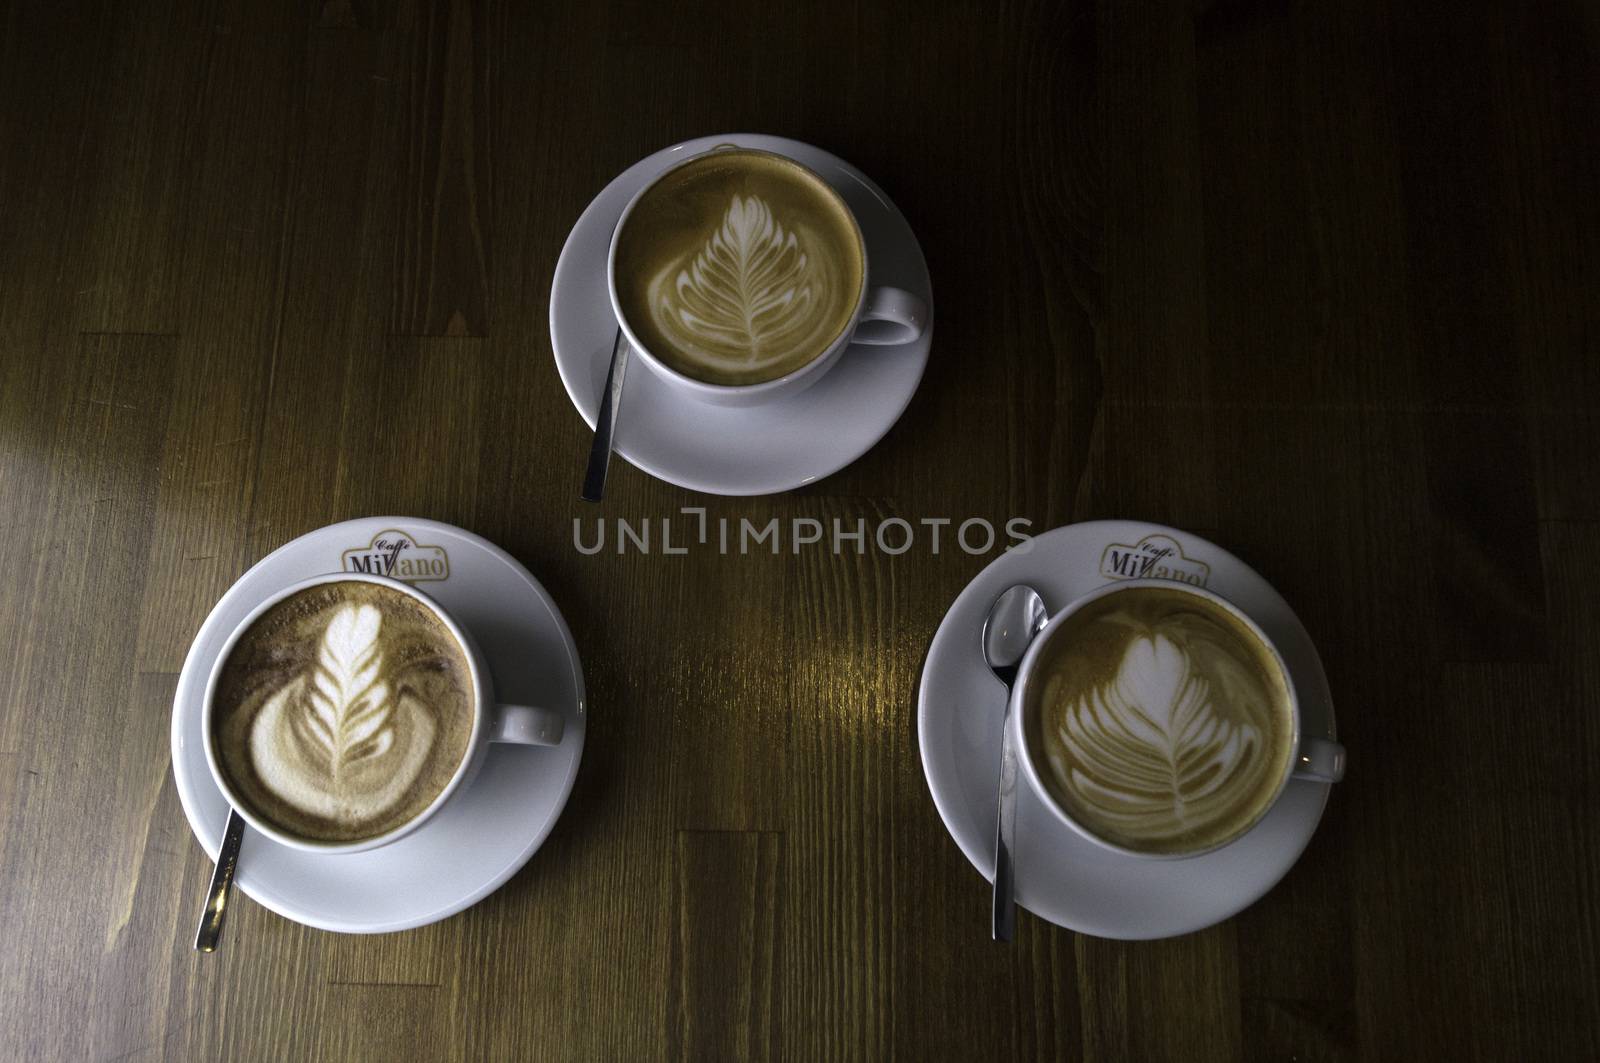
[(1313, 758)]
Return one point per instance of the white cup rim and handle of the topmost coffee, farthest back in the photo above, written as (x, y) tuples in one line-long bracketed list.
[(884, 316)]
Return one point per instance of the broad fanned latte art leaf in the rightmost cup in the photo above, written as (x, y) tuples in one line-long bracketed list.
[(1153, 753)]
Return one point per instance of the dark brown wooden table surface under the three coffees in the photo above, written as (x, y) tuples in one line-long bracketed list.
[(1316, 281)]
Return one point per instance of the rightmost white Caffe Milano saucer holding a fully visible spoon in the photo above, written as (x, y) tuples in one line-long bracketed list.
[(1062, 876)]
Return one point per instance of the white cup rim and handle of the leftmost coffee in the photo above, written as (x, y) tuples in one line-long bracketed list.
[(492, 721)]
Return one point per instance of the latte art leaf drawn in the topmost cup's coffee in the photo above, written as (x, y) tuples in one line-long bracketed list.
[(750, 292)]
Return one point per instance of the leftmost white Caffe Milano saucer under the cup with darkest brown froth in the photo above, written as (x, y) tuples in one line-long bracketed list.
[(489, 832)]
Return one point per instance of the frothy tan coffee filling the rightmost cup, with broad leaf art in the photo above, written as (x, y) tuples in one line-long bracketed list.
[(1164, 721)]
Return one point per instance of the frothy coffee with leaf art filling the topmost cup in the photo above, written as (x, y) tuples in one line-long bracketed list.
[(738, 268)]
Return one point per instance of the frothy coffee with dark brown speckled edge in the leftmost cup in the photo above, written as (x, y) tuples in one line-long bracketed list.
[(343, 712)]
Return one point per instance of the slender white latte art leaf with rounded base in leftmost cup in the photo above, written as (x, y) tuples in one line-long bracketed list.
[(337, 744)]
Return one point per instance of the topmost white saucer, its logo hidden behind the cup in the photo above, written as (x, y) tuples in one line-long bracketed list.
[(722, 451)]
